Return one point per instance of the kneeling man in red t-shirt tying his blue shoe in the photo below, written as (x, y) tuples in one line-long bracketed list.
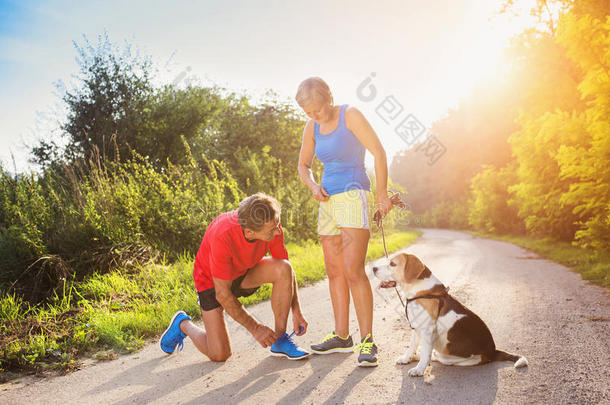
[(230, 263)]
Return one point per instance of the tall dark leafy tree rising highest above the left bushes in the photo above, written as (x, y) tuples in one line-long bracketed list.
[(111, 100)]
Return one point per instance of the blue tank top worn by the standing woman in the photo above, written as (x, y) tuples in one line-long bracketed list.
[(343, 157)]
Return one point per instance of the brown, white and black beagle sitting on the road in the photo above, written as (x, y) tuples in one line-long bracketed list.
[(444, 329)]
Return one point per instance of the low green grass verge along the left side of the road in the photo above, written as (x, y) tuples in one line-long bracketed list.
[(119, 312)]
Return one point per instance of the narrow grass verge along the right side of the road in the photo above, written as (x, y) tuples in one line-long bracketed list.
[(593, 266)]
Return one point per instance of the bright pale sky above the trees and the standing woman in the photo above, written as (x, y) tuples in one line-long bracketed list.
[(426, 55)]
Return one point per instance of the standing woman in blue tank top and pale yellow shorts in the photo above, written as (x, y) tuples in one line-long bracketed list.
[(338, 135)]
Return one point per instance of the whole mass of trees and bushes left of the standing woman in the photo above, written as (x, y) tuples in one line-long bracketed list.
[(144, 171)]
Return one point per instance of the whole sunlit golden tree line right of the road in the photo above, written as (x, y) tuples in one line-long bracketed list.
[(537, 141)]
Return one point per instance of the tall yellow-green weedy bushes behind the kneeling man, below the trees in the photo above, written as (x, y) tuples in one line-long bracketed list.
[(86, 217)]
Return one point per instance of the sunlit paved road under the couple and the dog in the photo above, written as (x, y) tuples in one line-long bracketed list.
[(532, 306)]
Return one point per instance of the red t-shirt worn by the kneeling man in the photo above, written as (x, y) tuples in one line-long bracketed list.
[(226, 254)]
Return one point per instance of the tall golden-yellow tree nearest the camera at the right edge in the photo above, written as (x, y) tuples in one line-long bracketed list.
[(563, 188)]
